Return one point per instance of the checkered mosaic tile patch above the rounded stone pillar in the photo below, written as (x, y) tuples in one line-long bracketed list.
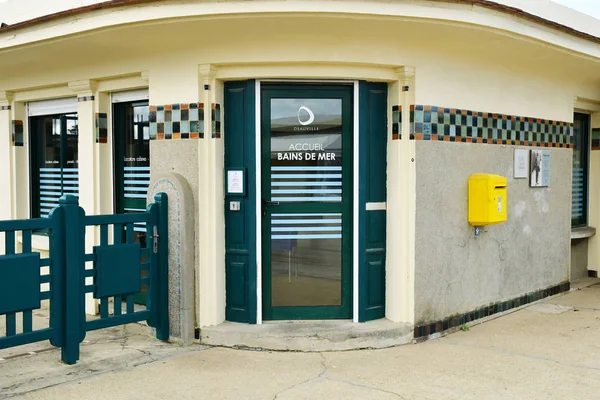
[(177, 121)]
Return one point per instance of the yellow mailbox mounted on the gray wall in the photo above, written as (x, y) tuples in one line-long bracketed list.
[(487, 199)]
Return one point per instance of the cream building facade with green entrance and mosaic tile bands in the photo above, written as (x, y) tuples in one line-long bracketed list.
[(324, 147)]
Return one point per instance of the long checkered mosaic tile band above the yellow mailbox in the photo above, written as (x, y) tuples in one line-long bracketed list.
[(467, 126)]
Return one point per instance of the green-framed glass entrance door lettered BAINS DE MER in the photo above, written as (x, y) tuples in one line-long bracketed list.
[(307, 178)]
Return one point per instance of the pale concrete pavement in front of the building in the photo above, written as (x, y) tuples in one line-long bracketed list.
[(547, 350)]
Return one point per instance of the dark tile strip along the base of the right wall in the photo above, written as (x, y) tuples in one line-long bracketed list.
[(424, 330)]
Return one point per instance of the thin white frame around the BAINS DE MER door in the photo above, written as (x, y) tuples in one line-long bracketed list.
[(355, 165)]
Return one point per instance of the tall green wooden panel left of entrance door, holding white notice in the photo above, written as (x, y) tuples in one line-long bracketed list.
[(240, 226)]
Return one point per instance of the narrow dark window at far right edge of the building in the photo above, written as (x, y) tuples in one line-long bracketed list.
[(581, 138)]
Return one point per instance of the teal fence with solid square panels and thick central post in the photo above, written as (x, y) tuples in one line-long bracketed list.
[(119, 270)]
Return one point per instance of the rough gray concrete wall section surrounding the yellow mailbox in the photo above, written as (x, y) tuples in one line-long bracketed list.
[(457, 271)]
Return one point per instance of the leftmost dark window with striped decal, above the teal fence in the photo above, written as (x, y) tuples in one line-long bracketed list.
[(54, 161)]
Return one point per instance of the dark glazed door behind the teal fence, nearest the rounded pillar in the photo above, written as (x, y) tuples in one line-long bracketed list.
[(132, 166)]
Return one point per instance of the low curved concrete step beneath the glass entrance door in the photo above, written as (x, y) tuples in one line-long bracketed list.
[(309, 336)]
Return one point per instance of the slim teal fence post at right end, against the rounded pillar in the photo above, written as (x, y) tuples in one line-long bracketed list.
[(162, 305)]
